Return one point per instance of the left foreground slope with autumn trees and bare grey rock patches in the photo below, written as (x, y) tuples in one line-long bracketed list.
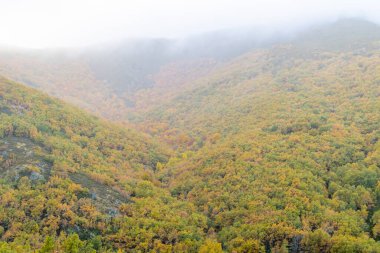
[(65, 173)]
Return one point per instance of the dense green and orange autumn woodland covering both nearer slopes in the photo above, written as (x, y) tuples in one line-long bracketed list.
[(276, 150)]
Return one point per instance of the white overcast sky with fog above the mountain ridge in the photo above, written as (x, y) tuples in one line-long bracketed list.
[(67, 23)]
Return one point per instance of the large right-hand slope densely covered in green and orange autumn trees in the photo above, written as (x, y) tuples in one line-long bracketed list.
[(280, 147)]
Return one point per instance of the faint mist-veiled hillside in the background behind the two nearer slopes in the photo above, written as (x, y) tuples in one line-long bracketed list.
[(116, 72)]
